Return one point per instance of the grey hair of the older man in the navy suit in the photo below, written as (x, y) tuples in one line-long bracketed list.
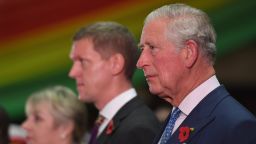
[(187, 23)]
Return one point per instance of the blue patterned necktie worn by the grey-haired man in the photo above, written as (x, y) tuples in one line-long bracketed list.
[(169, 127)]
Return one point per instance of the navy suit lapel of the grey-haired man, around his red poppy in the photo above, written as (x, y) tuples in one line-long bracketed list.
[(201, 115)]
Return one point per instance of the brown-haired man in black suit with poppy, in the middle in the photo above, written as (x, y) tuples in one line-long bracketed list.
[(104, 58)]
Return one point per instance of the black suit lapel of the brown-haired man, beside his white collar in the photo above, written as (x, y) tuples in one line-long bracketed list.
[(117, 119)]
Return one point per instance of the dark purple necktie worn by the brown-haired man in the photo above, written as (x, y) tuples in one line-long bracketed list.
[(95, 129)]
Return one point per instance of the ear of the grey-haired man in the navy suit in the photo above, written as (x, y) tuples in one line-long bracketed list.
[(190, 53)]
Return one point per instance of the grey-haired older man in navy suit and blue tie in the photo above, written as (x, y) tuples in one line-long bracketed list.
[(178, 53)]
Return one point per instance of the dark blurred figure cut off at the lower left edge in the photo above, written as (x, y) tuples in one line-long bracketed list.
[(4, 126)]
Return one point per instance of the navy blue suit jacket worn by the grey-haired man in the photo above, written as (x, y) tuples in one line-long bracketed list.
[(217, 119)]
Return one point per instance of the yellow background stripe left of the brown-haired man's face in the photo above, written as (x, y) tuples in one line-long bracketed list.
[(33, 64)]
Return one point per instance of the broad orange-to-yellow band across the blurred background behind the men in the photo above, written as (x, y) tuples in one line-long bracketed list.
[(46, 50)]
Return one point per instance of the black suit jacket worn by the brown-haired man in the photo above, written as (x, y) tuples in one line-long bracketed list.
[(134, 123)]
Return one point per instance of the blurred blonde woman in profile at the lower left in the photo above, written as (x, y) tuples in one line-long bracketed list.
[(55, 116)]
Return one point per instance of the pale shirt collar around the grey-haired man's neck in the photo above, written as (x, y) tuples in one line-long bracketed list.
[(194, 97)]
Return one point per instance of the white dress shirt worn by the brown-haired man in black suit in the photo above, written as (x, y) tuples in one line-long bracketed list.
[(110, 110)]
